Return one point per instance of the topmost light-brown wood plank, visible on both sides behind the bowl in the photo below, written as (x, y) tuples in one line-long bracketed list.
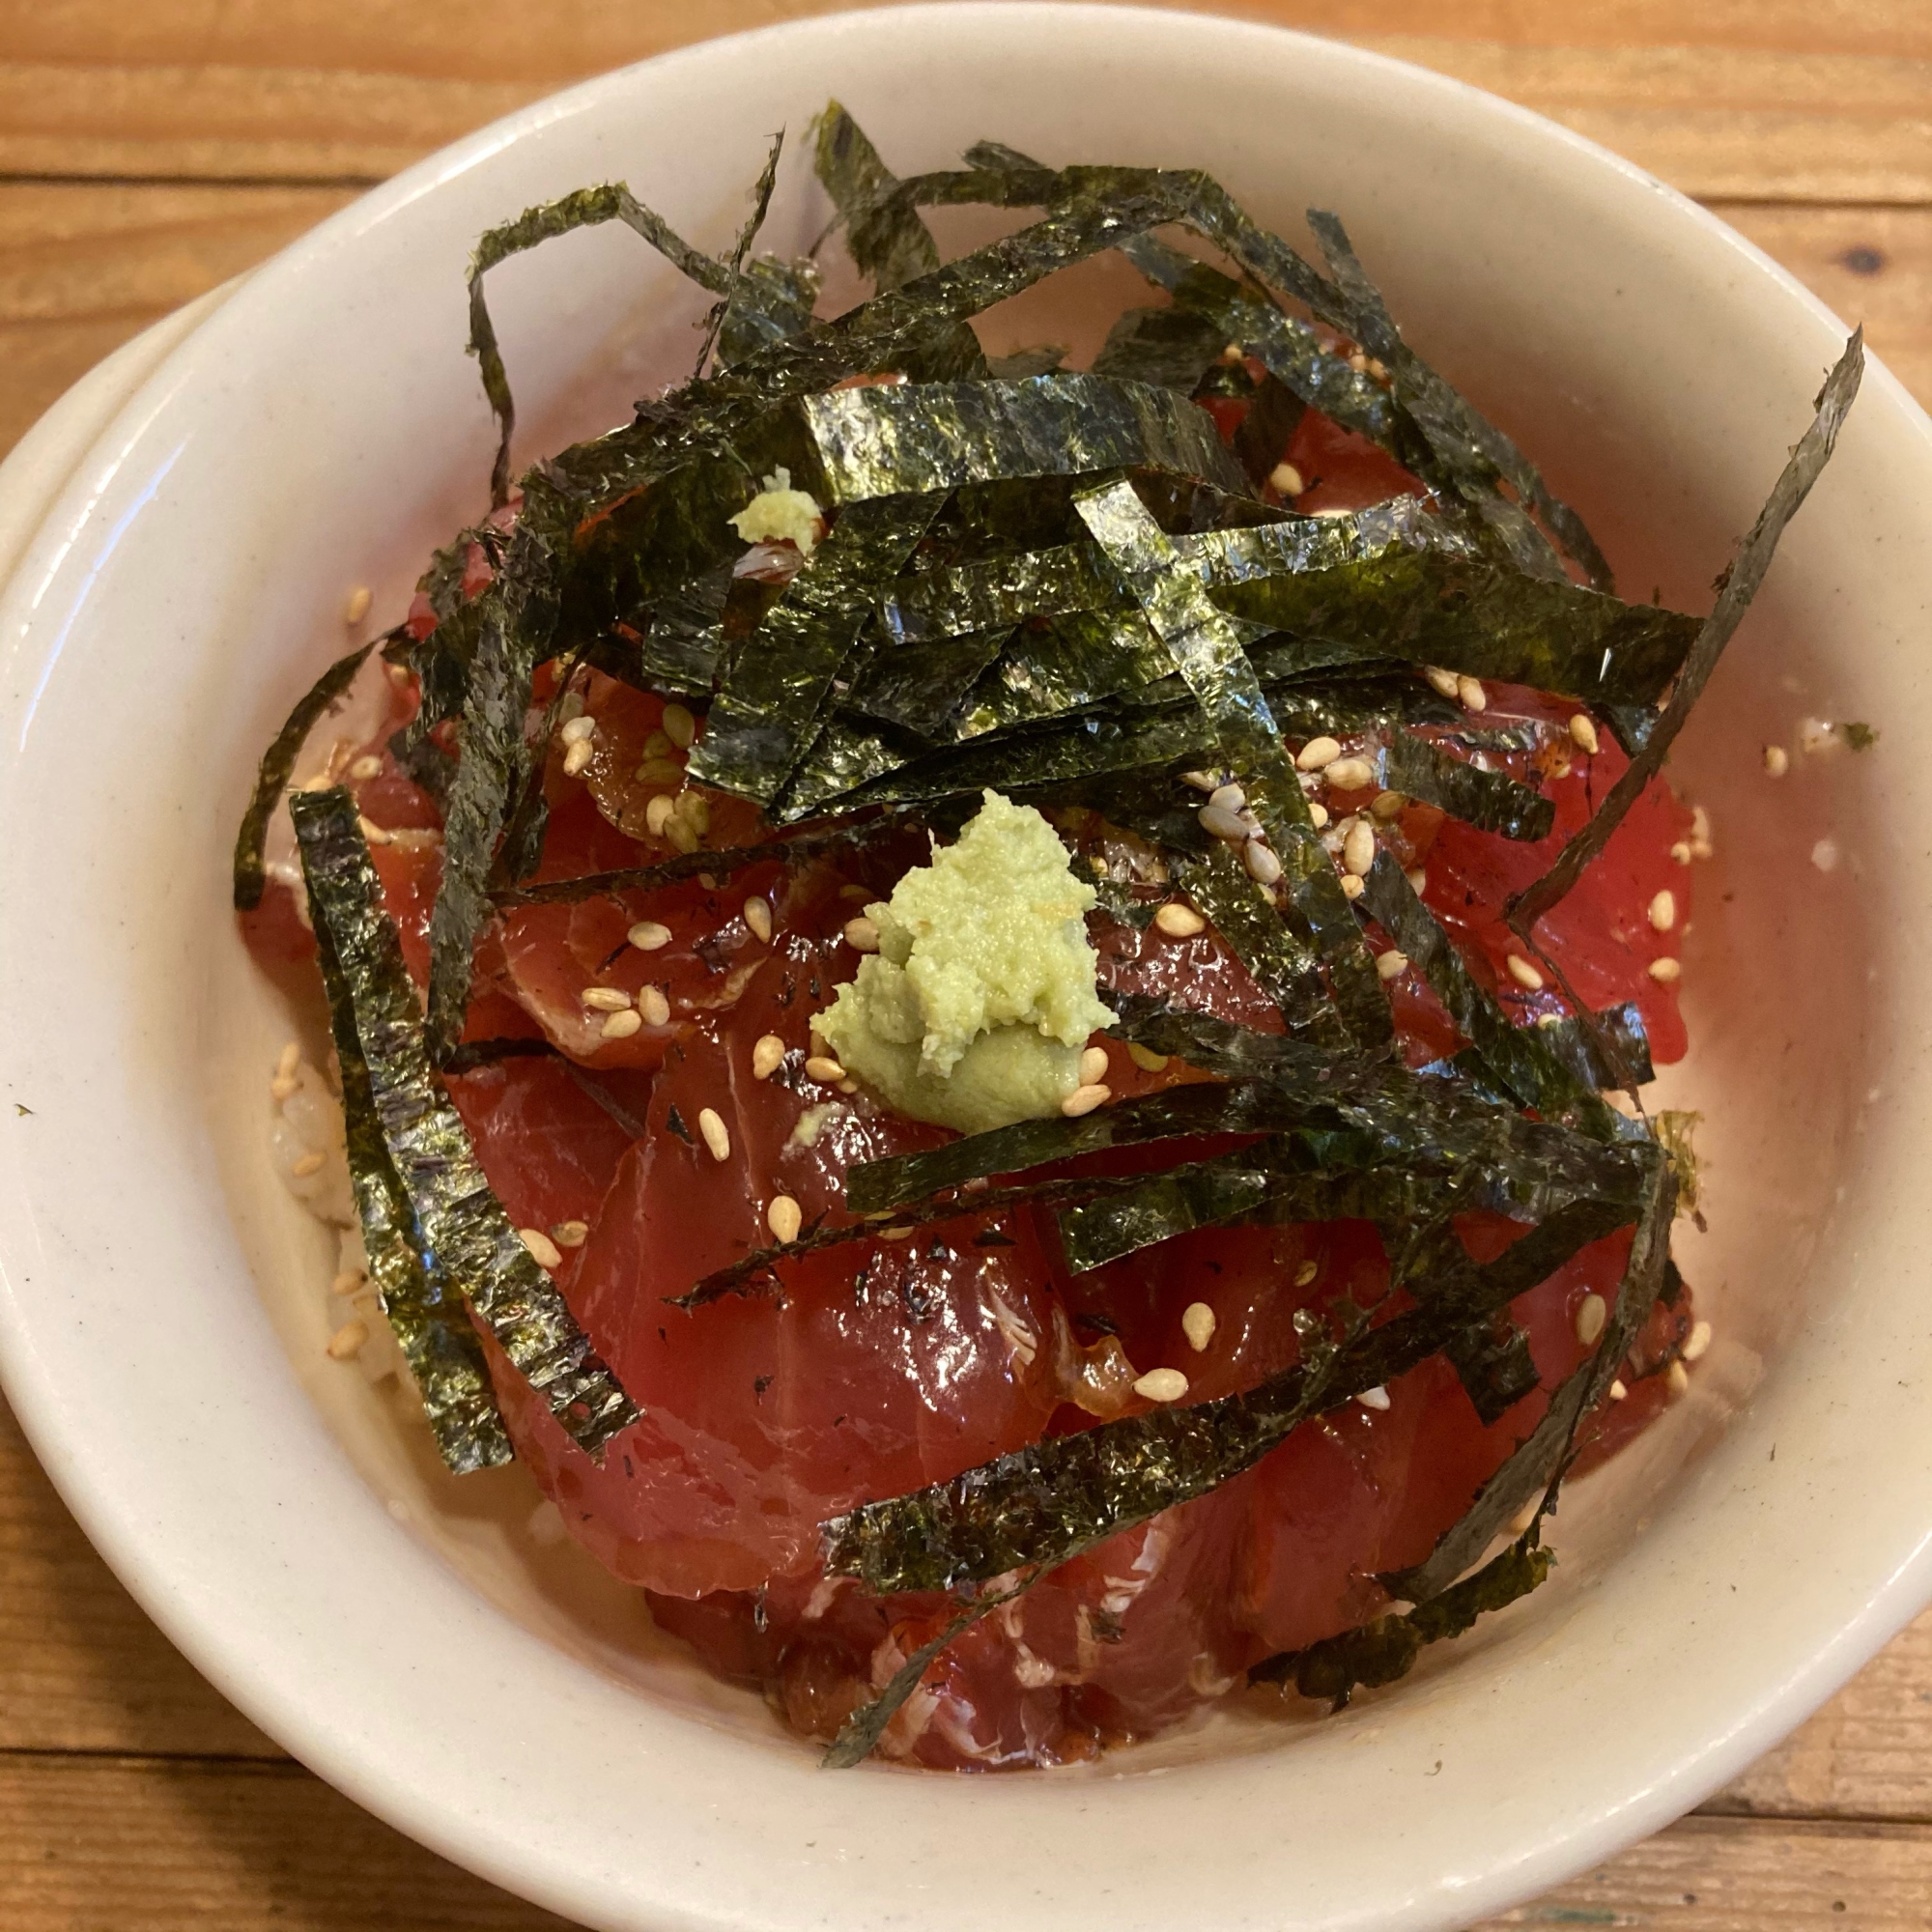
[(1738, 101)]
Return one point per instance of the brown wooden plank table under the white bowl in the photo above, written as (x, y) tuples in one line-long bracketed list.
[(148, 154)]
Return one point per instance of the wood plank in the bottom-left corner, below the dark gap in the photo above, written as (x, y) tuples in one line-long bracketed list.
[(221, 1848)]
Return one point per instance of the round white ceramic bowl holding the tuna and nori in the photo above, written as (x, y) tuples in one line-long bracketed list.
[(161, 1315)]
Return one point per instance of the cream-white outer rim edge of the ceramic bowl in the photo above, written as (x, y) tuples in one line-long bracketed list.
[(1902, 1579)]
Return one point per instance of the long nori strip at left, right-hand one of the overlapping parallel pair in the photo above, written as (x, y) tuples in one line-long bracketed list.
[(459, 1224)]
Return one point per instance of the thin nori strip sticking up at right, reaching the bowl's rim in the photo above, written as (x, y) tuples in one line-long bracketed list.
[(1738, 586)]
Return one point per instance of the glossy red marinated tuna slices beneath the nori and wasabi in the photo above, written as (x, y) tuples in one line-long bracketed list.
[(894, 1363)]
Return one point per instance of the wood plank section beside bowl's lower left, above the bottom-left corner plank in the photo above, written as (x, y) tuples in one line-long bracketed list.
[(80, 1666)]
